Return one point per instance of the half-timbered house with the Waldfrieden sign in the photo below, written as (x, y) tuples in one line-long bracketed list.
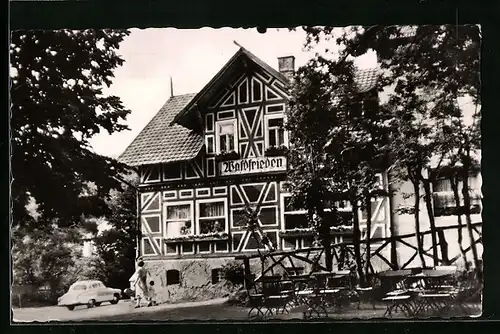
[(203, 158)]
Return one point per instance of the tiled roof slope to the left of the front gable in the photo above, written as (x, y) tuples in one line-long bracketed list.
[(160, 142)]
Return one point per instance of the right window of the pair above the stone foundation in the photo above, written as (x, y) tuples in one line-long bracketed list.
[(212, 216)]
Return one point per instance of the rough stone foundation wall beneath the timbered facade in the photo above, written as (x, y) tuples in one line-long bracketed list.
[(195, 279)]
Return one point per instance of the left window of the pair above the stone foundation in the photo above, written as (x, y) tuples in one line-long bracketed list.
[(178, 219)]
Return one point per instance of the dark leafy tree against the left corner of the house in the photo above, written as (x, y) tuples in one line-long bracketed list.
[(116, 247)]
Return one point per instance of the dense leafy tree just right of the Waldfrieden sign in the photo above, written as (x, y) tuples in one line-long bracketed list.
[(337, 139)]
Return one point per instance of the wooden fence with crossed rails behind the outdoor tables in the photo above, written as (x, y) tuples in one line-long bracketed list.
[(343, 254)]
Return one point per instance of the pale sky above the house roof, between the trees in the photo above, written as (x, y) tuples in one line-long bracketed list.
[(191, 57)]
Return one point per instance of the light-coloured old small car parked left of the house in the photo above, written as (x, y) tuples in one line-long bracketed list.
[(91, 293)]
